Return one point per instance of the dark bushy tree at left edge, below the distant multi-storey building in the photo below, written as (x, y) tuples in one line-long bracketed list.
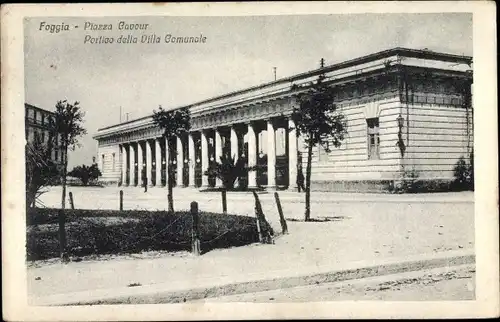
[(41, 170)]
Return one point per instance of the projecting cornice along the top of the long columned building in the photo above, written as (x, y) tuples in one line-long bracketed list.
[(374, 65)]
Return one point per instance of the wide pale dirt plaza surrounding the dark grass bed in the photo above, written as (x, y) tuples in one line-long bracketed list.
[(348, 228)]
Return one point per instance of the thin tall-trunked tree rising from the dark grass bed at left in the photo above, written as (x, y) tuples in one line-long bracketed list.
[(67, 124)]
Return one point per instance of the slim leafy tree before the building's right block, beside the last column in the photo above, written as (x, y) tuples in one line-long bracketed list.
[(319, 122)]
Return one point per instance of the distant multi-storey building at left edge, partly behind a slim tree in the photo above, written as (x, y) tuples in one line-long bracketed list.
[(37, 126)]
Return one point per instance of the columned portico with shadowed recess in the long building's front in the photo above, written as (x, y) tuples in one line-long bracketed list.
[(144, 156)]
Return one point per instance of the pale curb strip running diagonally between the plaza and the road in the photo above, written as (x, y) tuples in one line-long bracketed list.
[(250, 283)]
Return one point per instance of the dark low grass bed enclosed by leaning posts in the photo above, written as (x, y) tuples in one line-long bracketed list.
[(92, 232)]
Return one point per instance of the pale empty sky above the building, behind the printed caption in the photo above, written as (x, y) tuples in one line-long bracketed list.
[(239, 52)]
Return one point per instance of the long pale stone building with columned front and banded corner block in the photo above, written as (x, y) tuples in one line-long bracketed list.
[(407, 110)]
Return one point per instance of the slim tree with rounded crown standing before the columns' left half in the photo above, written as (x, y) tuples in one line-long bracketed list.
[(173, 123)]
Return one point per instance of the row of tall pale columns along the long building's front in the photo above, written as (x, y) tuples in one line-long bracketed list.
[(147, 161)]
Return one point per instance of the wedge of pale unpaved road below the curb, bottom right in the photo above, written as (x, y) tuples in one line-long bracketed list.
[(452, 284)]
